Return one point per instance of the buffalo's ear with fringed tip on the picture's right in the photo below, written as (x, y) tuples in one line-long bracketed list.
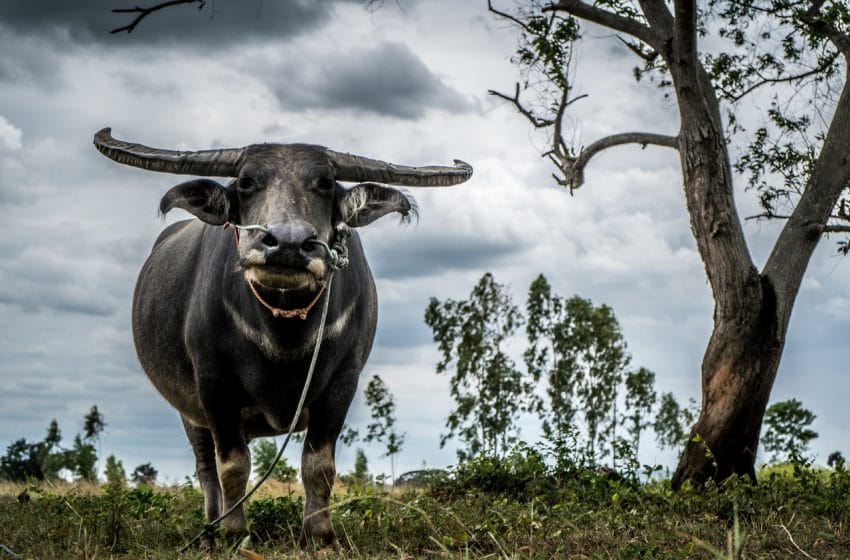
[(364, 203)]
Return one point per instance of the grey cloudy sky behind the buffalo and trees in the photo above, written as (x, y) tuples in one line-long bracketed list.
[(406, 83)]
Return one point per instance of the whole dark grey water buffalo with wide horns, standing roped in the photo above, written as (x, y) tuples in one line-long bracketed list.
[(222, 319)]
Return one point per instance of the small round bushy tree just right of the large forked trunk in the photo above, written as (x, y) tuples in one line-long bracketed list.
[(787, 433)]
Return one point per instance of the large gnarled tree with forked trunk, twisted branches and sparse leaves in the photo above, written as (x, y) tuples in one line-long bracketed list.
[(799, 163)]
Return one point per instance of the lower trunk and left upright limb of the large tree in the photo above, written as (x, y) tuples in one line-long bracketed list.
[(743, 352)]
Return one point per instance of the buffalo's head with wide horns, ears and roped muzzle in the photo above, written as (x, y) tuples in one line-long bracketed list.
[(286, 199)]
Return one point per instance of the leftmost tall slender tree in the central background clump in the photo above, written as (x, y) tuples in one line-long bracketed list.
[(489, 390)]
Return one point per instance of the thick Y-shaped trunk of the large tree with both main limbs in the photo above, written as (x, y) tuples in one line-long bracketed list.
[(752, 310)]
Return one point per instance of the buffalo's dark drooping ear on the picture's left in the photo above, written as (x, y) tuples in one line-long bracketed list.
[(206, 199)]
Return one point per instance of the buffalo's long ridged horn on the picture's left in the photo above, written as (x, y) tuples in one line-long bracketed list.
[(210, 163)]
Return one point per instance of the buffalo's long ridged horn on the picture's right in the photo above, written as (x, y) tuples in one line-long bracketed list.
[(349, 167)]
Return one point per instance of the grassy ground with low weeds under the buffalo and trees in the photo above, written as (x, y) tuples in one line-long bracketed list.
[(488, 509)]
